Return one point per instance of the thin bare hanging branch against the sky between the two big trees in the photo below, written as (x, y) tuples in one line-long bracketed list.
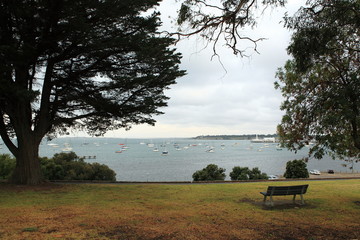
[(212, 27)]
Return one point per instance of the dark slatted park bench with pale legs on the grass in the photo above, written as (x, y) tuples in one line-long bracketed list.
[(285, 190)]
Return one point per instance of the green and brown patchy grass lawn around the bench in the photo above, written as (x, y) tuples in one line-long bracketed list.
[(189, 211)]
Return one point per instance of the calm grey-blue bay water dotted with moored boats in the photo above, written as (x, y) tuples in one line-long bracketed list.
[(185, 156)]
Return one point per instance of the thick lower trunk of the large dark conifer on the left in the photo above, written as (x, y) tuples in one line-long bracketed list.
[(27, 170)]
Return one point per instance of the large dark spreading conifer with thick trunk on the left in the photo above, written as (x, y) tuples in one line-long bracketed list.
[(94, 65)]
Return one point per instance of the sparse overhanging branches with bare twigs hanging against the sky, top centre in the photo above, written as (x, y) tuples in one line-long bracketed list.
[(221, 20)]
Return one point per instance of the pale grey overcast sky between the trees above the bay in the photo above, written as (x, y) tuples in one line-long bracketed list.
[(210, 100)]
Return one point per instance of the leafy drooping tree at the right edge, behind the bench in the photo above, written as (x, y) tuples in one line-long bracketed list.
[(321, 84)]
